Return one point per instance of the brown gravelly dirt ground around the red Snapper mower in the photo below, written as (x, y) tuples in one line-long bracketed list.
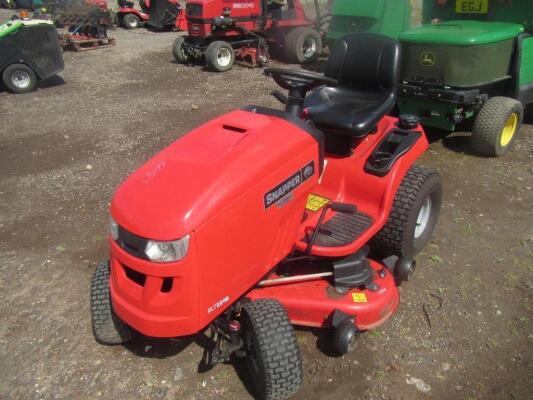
[(66, 147)]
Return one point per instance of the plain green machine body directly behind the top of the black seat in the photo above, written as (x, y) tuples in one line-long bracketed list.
[(388, 17)]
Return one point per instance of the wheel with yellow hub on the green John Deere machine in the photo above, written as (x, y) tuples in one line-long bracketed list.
[(496, 126)]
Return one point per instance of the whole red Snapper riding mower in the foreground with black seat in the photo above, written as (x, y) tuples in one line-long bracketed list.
[(260, 219)]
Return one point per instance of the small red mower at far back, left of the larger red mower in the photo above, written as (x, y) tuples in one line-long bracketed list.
[(158, 14)]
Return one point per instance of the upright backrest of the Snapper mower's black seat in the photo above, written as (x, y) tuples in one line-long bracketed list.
[(365, 62)]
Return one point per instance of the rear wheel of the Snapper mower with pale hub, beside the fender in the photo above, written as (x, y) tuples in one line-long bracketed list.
[(414, 213)]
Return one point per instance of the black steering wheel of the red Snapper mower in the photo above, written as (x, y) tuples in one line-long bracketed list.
[(302, 81)]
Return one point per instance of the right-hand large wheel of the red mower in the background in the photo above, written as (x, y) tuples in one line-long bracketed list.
[(303, 45)]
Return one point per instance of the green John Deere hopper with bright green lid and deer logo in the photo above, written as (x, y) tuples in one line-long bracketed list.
[(461, 54)]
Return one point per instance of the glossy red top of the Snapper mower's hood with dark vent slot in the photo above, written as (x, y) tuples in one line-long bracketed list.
[(201, 173)]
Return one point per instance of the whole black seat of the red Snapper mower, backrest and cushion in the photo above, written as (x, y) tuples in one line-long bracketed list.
[(367, 67)]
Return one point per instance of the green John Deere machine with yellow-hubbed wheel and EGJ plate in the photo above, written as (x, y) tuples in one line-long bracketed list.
[(471, 62)]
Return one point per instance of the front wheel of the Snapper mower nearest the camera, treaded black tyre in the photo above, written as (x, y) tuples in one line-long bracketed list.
[(272, 353)]
